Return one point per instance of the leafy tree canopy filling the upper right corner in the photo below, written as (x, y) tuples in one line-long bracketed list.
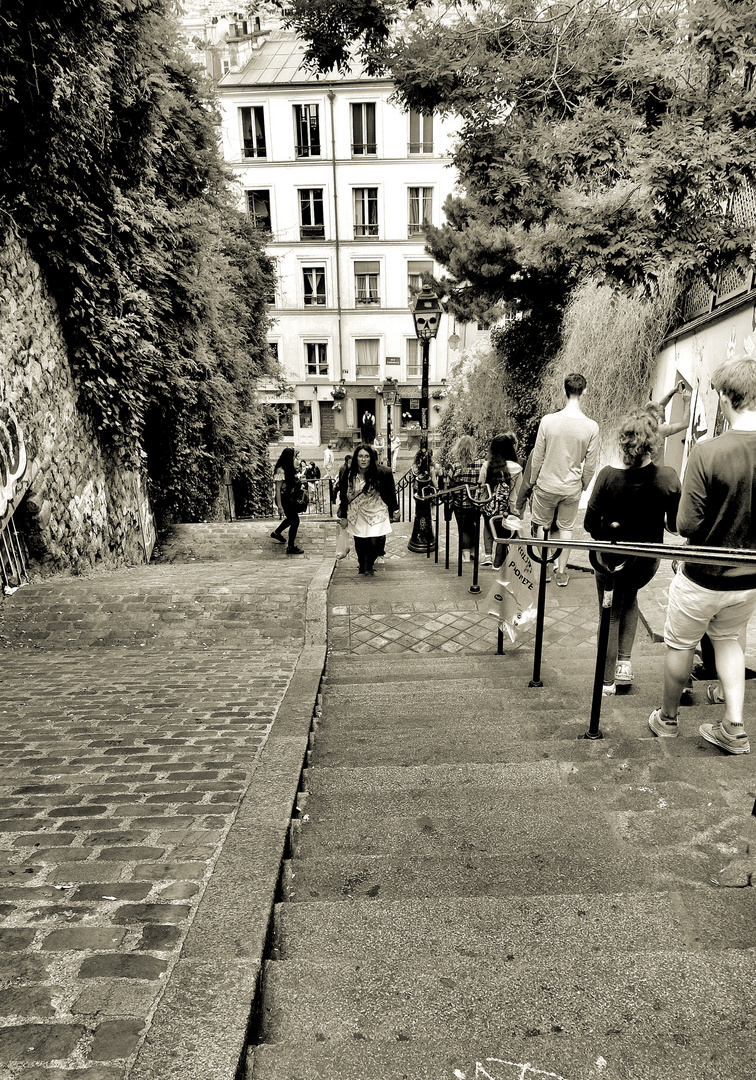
[(597, 140)]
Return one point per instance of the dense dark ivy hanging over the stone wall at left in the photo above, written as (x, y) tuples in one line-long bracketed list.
[(111, 167)]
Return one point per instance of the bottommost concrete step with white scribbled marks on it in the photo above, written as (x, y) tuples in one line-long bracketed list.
[(605, 1057)]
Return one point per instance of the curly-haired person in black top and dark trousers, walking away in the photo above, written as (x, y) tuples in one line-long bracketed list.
[(641, 498)]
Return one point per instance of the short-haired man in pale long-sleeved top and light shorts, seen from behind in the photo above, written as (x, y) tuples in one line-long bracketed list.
[(564, 462)]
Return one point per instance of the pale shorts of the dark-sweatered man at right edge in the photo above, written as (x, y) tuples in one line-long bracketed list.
[(693, 612)]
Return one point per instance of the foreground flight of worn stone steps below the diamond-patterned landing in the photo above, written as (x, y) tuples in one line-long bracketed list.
[(474, 892)]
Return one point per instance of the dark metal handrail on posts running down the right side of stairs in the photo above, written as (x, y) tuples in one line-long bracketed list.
[(550, 550)]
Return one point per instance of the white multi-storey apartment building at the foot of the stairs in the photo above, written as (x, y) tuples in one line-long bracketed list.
[(344, 183)]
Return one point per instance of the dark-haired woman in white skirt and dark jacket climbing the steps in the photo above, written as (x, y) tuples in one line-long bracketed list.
[(368, 503)]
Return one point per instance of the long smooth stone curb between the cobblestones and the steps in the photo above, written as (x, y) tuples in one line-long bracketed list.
[(200, 1027)]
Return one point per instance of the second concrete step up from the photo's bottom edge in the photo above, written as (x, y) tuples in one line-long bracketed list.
[(666, 994)]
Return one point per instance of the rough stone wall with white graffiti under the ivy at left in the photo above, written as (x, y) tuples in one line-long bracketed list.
[(75, 505)]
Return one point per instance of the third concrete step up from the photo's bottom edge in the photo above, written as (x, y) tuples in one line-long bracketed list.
[(484, 927)]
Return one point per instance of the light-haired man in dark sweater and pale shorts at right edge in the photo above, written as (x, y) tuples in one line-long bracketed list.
[(717, 510)]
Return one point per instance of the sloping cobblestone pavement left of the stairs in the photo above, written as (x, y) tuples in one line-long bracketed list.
[(137, 709)]
